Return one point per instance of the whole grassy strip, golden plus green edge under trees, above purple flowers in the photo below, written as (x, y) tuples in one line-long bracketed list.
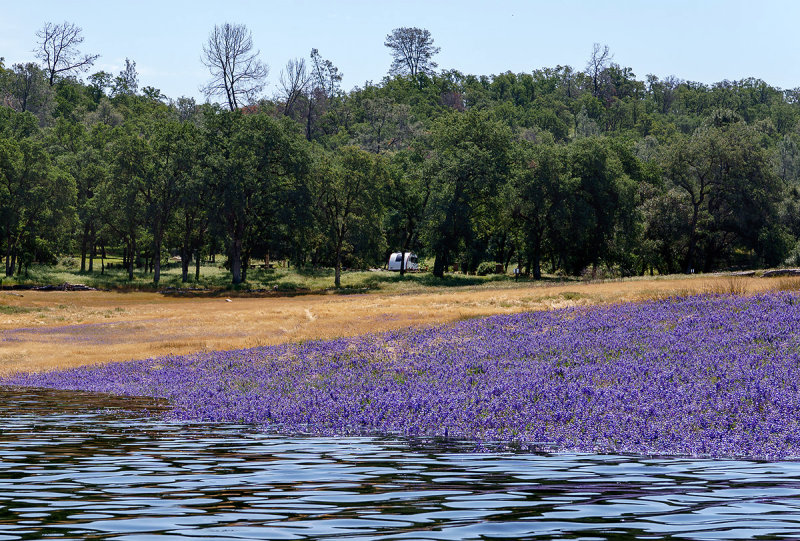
[(139, 324)]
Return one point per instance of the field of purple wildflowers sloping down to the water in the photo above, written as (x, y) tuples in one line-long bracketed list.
[(711, 376)]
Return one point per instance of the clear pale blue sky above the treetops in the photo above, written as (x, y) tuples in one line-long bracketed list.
[(698, 40)]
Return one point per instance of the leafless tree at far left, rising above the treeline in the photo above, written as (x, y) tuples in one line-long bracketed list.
[(57, 48)]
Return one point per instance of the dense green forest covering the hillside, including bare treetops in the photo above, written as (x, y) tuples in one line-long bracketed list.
[(555, 171)]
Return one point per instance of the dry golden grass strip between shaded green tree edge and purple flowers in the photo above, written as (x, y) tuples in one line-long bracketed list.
[(47, 330)]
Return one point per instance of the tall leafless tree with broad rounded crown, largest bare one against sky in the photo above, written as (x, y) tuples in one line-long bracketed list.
[(236, 71)]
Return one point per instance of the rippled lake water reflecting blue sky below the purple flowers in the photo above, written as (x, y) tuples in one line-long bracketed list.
[(72, 466)]
